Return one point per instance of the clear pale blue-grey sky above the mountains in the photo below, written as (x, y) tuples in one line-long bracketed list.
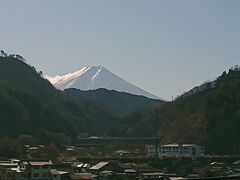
[(165, 47)]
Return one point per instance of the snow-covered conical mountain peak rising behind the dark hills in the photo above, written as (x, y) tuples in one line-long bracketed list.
[(94, 77)]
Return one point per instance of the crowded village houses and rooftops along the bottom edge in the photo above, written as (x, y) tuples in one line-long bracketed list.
[(109, 170)]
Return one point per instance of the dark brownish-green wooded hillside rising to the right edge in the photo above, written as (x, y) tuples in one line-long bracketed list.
[(210, 117)]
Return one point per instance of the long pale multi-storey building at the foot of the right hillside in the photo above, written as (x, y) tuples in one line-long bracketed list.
[(176, 150)]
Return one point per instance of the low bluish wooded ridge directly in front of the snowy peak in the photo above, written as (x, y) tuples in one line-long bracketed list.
[(119, 102)]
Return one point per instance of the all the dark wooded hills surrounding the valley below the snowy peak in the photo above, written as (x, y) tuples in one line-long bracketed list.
[(31, 107)]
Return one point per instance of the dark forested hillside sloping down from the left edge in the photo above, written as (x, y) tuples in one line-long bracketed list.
[(29, 104)]
